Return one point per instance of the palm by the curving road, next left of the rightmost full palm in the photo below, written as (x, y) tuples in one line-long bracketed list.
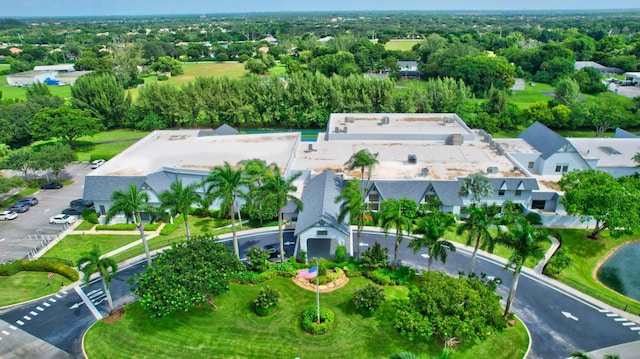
[(481, 218)]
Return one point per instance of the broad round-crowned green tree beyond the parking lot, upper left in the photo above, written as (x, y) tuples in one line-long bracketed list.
[(65, 123)]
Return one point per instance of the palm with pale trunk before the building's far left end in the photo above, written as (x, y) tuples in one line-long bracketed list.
[(131, 203)]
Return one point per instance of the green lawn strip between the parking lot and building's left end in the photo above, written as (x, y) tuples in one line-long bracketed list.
[(73, 246)]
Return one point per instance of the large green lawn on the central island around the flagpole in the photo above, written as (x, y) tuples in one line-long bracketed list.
[(234, 331)]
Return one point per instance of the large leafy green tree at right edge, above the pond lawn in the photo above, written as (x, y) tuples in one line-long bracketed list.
[(596, 195)]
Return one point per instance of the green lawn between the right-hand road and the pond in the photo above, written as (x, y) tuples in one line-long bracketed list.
[(585, 254)]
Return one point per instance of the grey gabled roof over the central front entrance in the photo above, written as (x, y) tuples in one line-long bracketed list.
[(319, 196)]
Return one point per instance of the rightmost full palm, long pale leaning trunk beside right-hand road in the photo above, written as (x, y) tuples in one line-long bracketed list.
[(525, 241)]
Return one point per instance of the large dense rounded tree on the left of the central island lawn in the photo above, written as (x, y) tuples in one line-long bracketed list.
[(188, 274)]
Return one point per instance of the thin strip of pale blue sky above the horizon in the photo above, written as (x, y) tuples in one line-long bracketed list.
[(48, 8)]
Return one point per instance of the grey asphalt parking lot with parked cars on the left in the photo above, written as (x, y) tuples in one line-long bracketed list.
[(21, 235)]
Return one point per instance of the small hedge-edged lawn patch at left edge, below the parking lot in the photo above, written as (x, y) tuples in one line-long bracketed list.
[(27, 286)]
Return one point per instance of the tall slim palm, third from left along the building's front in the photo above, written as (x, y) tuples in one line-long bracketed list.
[(225, 183)]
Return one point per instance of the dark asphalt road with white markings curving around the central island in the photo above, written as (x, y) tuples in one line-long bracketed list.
[(559, 322)]
